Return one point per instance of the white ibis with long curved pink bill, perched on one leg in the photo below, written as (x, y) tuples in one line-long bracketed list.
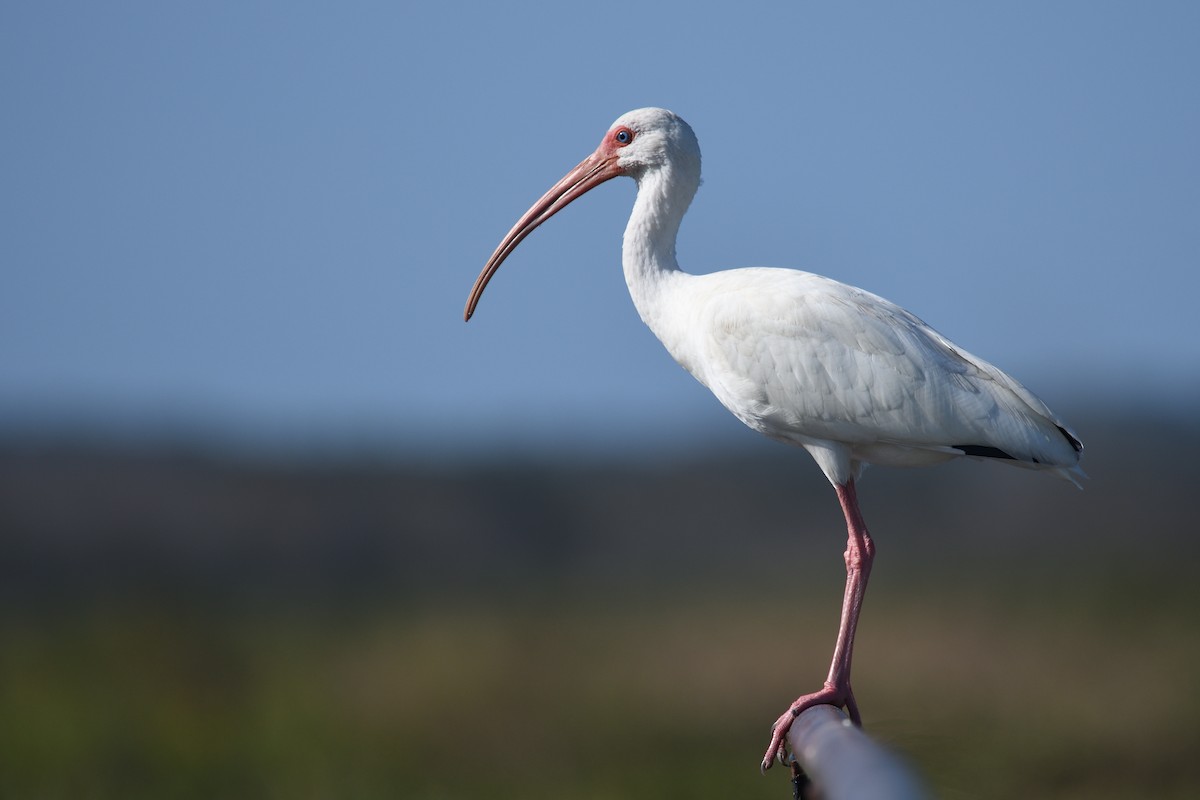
[(809, 362)]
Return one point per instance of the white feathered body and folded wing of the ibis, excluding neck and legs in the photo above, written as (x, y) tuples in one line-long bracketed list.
[(806, 359)]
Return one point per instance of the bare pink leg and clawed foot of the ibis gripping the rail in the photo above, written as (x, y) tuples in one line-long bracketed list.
[(860, 555)]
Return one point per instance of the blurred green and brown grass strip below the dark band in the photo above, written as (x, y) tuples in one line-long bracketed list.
[(586, 697)]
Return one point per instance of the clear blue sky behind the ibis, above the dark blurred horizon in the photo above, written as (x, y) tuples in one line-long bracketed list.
[(262, 220)]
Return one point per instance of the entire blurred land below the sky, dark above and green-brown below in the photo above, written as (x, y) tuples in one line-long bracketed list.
[(181, 623)]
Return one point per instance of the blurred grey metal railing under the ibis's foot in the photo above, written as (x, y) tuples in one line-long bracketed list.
[(839, 762)]
